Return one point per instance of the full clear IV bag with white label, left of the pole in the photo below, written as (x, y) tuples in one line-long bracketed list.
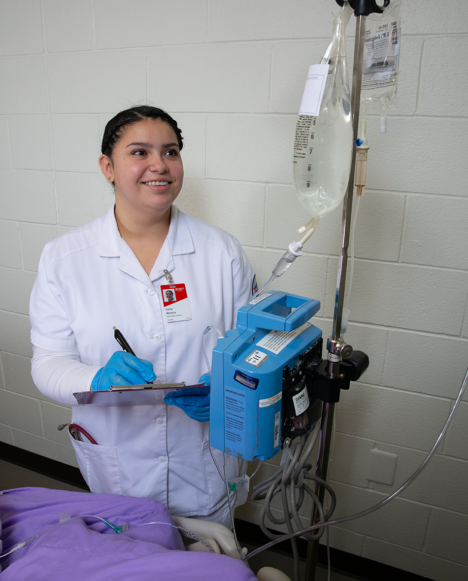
[(324, 140)]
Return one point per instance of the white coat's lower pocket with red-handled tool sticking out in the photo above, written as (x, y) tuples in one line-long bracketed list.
[(99, 466)]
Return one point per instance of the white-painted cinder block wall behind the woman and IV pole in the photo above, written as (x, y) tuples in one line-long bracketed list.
[(232, 73)]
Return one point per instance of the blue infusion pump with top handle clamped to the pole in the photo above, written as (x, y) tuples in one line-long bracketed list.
[(261, 377)]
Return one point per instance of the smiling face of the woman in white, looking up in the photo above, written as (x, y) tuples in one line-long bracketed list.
[(146, 168)]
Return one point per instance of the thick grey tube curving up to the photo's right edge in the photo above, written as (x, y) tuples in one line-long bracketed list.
[(367, 511)]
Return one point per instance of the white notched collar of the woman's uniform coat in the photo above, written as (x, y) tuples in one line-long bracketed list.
[(178, 241)]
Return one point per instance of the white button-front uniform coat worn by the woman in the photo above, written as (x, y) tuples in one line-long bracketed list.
[(89, 281)]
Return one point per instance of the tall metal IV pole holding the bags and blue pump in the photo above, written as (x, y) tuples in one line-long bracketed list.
[(337, 348)]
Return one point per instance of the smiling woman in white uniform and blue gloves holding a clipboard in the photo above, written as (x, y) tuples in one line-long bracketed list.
[(113, 272)]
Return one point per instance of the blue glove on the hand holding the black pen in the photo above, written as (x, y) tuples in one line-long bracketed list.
[(123, 369)]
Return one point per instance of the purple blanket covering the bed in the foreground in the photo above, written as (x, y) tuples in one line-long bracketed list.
[(82, 548)]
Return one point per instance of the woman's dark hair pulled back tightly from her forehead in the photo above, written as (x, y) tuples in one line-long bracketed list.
[(114, 128)]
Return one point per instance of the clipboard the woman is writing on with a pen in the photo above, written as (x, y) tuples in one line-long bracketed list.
[(120, 396)]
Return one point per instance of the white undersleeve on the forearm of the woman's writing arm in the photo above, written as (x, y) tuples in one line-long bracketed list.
[(59, 375)]
